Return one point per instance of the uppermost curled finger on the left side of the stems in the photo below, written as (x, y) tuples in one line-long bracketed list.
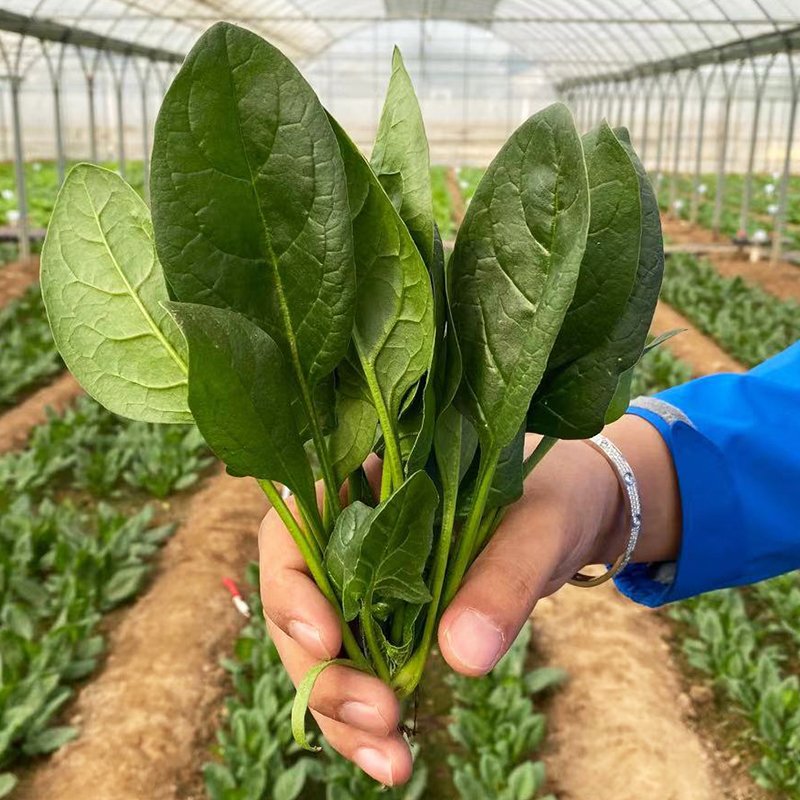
[(290, 597)]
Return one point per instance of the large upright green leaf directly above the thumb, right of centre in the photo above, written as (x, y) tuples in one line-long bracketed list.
[(514, 269)]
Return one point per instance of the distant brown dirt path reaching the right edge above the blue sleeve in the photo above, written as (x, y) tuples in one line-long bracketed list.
[(781, 280)]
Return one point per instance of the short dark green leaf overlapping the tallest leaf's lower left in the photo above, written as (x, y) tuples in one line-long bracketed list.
[(241, 392)]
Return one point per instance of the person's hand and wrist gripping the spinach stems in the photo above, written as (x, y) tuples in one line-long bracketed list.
[(571, 514)]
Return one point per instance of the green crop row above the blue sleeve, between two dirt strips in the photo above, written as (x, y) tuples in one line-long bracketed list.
[(747, 322)]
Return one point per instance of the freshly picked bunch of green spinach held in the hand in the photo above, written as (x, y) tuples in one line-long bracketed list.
[(293, 300)]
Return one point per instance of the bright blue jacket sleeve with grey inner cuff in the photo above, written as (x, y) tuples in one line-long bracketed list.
[(735, 441)]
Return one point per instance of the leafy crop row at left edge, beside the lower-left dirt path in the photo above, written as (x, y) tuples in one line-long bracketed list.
[(69, 553)]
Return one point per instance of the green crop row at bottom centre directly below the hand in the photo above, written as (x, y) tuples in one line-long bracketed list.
[(493, 733)]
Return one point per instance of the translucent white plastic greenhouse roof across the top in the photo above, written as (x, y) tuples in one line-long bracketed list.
[(574, 39)]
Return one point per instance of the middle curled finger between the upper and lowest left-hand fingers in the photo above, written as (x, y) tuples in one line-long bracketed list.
[(357, 701)]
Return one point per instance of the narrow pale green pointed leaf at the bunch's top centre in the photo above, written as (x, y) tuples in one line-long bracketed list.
[(401, 160)]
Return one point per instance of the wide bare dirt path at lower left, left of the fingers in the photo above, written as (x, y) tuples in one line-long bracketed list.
[(146, 716)]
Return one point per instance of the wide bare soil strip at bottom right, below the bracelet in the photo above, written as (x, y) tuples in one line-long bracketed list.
[(619, 729)]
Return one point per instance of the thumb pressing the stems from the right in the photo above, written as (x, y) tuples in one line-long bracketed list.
[(497, 596)]
